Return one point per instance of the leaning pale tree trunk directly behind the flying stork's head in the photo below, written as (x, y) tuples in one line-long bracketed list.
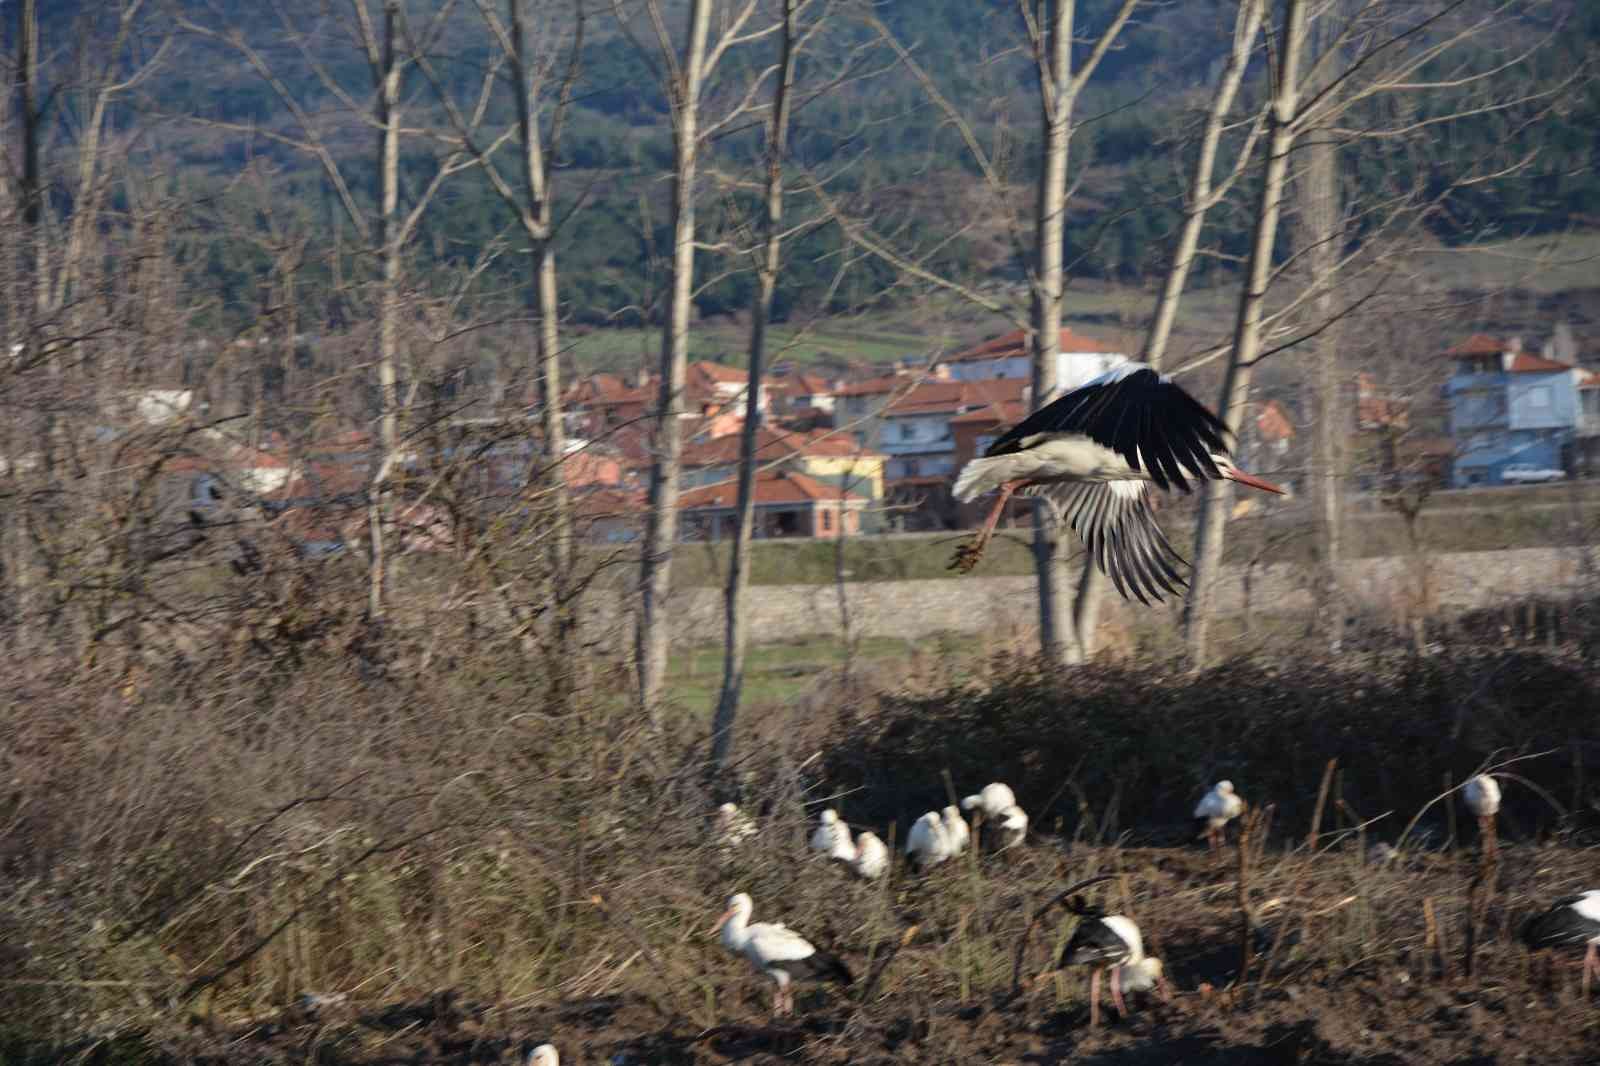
[(1247, 327)]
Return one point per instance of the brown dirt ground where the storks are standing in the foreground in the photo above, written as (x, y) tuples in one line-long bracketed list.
[(1345, 971)]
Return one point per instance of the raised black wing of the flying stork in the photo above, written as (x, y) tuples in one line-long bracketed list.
[(1150, 422)]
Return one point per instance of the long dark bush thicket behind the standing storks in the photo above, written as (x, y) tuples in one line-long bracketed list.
[(1079, 743)]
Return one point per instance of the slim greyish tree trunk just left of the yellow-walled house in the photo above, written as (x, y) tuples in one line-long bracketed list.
[(735, 623)]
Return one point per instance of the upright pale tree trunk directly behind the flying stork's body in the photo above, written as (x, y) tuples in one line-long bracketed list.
[(1057, 98)]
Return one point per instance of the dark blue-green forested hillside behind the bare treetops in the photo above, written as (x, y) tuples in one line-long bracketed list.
[(206, 116)]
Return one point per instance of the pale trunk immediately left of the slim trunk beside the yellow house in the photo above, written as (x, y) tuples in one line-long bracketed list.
[(662, 526)]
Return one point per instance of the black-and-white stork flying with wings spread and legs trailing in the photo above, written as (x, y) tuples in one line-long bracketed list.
[(1097, 452)]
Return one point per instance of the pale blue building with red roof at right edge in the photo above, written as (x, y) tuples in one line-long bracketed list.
[(1511, 406)]
